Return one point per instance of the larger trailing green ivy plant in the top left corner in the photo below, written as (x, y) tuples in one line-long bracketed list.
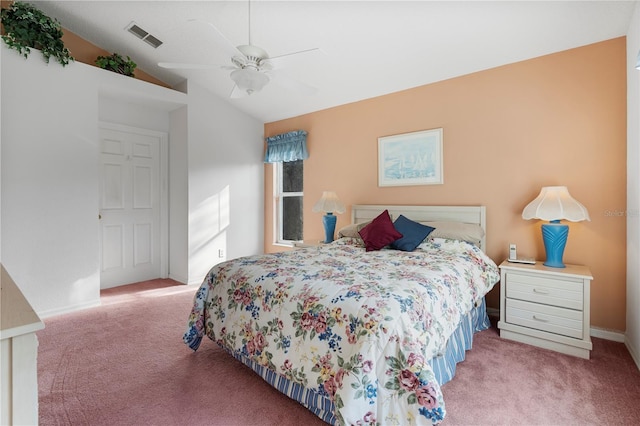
[(27, 27)]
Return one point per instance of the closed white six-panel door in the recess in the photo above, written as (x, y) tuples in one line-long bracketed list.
[(129, 206)]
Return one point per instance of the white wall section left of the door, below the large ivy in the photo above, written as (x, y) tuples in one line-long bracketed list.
[(49, 182)]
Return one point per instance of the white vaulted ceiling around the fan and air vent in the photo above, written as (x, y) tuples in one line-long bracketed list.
[(365, 48)]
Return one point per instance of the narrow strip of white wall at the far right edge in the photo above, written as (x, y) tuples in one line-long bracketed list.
[(633, 188)]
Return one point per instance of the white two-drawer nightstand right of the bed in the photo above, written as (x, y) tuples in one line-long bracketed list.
[(546, 307)]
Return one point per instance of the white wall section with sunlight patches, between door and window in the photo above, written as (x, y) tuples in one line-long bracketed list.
[(226, 182)]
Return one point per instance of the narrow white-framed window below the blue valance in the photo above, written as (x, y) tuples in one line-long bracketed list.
[(288, 196)]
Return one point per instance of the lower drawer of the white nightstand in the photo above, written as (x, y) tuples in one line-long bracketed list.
[(566, 322)]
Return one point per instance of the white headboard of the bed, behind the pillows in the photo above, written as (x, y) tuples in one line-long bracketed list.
[(466, 214)]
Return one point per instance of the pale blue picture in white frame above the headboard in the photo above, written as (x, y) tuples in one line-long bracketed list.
[(410, 159)]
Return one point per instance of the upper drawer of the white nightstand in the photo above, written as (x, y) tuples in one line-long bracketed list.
[(549, 291)]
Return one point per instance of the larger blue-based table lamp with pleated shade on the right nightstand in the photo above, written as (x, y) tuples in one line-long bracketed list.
[(554, 203)]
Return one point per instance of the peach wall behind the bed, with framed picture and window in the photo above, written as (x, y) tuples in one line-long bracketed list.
[(559, 119)]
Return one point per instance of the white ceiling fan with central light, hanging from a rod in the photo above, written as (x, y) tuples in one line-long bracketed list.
[(251, 67)]
